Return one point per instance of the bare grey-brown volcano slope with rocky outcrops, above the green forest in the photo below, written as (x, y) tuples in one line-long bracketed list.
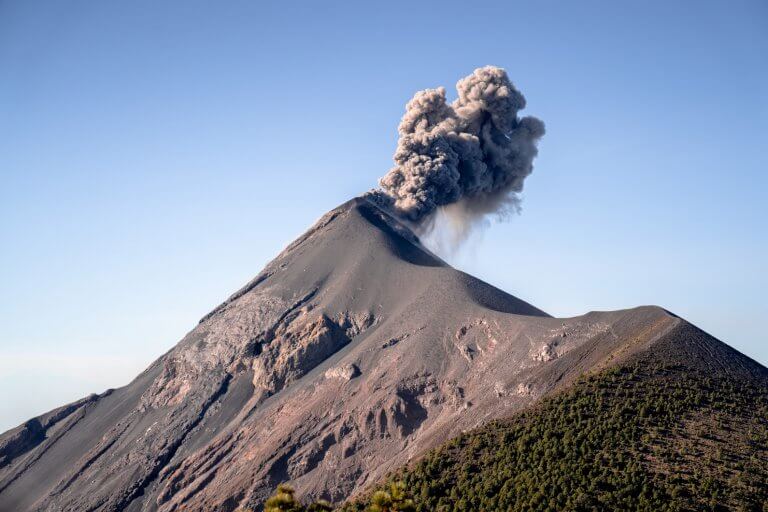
[(352, 352)]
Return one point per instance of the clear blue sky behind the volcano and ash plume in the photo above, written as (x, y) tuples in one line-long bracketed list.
[(155, 155)]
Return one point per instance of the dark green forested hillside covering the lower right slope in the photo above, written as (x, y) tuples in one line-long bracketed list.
[(635, 438)]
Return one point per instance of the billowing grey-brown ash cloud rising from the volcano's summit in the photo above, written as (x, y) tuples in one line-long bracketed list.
[(472, 154)]
